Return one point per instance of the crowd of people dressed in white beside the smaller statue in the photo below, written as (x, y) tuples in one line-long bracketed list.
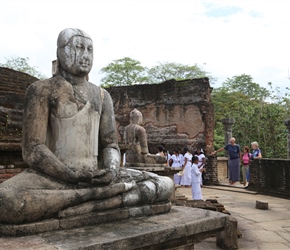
[(192, 168)]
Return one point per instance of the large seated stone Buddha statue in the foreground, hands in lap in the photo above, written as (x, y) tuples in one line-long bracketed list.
[(70, 144)]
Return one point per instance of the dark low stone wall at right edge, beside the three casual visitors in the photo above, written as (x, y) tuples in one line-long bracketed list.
[(270, 176)]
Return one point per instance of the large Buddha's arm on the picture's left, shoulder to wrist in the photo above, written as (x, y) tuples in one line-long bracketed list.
[(35, 122)]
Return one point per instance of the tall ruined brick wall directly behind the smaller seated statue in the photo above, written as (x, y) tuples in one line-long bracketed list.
[(176, 113)]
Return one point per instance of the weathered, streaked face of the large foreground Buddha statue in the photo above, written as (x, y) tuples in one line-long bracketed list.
[(76, 57)]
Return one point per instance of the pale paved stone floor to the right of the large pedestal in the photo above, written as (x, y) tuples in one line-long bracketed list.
[(261, 229)]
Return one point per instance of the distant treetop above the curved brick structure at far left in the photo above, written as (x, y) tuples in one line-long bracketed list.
[(22, 64)]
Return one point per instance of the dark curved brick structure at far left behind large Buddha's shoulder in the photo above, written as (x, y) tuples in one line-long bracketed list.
[(13, 85)]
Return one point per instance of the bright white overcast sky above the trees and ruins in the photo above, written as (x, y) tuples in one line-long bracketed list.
[(225, 38)]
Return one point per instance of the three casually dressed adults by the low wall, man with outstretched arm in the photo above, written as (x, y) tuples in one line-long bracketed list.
[(237, 158)]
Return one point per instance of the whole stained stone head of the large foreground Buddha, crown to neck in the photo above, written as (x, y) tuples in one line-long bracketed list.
[(74, 53)]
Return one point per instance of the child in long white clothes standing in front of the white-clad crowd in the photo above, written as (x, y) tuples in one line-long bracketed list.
[(195, 179)]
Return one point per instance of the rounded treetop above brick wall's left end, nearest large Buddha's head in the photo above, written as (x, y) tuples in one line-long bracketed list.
[(123, 72)]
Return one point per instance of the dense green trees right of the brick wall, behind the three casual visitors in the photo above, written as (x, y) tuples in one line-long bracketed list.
[(259, 115)]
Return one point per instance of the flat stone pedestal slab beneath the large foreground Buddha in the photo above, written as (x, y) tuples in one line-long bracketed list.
[(181, 228)]
